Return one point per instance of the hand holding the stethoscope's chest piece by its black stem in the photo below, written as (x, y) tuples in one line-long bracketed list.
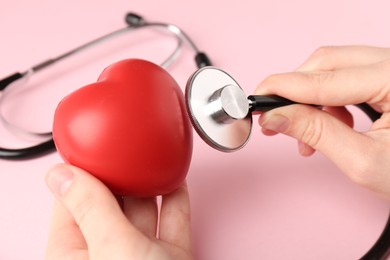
[(335, 77)]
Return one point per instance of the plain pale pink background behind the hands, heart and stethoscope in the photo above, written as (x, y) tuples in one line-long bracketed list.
[(264, 202)]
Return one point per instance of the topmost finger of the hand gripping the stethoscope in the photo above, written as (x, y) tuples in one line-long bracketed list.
[(340, 57)]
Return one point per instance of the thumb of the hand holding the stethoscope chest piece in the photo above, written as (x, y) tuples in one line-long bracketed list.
[(345, 147)]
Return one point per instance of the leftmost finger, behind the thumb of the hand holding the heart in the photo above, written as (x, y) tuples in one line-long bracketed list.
[(65, 238)]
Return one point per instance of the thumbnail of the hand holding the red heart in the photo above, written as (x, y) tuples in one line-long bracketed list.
[(59, 180)]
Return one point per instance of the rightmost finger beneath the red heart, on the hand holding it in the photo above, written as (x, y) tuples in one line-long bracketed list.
[(175, 226)]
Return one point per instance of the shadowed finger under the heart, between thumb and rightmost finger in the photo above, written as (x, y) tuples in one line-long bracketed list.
[(142, 213)]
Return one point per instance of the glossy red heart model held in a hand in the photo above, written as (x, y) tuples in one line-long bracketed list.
[(129, 129)]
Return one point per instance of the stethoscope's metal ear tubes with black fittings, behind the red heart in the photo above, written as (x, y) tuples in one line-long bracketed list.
[(134, 22)]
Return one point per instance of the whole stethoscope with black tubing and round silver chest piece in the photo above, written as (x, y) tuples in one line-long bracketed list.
[(218, 108)]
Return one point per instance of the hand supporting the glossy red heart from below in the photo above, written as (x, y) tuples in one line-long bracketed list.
[(88, 222)]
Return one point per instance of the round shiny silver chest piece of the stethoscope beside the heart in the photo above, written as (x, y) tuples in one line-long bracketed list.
[(218, 109)]
